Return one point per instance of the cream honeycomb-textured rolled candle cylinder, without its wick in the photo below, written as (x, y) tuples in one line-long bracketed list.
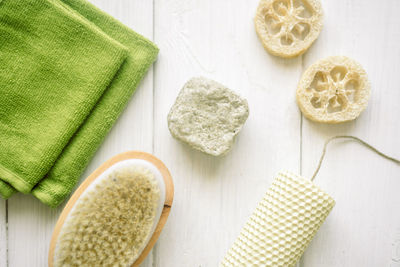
[(283, 224)]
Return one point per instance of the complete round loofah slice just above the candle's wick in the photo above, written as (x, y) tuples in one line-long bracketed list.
[(333, 90)]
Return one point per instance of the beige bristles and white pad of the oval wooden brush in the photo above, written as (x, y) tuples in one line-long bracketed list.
[(110, 223)]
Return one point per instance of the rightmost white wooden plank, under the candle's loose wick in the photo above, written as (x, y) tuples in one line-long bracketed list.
[(364, 227)]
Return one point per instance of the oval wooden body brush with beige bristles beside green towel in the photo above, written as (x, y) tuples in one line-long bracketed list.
[(117, 214)]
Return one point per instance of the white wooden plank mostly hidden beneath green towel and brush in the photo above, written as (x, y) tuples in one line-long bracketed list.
[(30, 222)]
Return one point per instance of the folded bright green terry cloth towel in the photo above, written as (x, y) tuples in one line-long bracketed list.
[(67, 70)]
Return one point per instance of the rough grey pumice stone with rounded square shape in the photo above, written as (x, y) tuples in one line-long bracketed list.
[(207, 116)]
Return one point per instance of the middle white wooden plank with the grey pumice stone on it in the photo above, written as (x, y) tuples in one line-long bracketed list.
[(215, 196)]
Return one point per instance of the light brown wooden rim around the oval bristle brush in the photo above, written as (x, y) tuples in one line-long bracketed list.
[(169, 195)]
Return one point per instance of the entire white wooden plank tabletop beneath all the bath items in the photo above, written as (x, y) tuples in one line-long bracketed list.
[(215, 196)]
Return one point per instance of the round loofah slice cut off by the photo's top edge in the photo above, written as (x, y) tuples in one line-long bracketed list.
[(287, 28)]
